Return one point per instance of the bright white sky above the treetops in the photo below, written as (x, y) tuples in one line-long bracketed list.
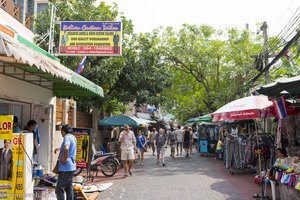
[(149, 14)]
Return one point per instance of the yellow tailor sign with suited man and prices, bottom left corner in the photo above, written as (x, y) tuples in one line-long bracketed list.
[(12, 177)]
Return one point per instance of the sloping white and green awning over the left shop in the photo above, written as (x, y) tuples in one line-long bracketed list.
[(21, 61)]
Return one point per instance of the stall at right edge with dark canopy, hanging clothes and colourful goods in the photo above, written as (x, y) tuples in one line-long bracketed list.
[(285, 94)]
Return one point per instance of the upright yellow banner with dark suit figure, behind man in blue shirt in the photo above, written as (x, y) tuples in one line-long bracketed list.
[(83, 145)]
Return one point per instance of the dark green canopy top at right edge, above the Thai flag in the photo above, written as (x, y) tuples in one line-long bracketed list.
[(282, 86)]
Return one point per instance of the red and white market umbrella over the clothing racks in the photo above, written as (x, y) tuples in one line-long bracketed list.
[(245, 108)]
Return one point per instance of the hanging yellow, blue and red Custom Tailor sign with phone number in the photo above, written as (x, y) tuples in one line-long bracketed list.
[(90, 38)]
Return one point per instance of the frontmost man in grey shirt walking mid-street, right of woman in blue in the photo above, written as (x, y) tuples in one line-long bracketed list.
[(160, 143)]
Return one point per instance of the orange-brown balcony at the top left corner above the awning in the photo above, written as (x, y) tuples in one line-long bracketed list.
[(15, 11)]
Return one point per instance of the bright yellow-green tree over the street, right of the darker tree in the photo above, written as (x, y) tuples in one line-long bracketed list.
[(213, 65)]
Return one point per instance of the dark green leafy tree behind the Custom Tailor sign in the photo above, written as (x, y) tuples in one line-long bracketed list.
[(136, 76)]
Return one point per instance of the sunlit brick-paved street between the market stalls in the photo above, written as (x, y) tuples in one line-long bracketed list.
[(193, 178)]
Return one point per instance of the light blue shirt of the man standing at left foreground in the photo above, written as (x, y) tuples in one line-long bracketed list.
[(70, 165)]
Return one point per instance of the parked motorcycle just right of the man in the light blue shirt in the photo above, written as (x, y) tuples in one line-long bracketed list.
[(106, 163)]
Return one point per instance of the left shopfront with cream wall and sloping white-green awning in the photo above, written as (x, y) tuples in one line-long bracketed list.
[(30, 81)]
